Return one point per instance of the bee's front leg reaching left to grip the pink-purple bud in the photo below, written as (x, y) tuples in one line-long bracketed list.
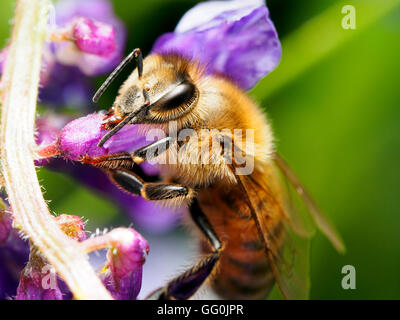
[(128, 160)]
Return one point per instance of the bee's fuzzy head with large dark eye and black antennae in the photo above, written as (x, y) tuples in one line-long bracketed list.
[(163, 92)]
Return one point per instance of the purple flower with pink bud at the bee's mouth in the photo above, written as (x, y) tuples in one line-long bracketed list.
[(80, 137)]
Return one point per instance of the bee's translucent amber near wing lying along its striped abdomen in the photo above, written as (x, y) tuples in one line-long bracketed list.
[(287, 253)]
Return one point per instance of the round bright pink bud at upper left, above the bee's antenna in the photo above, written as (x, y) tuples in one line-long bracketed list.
[(94, 37)]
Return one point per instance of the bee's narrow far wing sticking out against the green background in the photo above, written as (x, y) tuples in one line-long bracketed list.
[(319, 218)]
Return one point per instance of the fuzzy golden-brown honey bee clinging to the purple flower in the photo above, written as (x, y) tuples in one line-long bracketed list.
[(251, 236)]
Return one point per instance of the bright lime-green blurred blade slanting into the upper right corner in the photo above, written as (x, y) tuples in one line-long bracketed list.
[(319, 37)]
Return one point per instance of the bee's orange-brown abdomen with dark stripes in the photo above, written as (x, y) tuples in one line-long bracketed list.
[(243, 271)]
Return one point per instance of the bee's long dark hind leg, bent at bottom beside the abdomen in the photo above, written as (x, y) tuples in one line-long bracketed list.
[(187, 284)]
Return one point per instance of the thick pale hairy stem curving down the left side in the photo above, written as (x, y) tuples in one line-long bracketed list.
[(19, 94)]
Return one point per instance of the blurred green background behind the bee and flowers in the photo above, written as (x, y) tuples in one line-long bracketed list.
[(334, 102)]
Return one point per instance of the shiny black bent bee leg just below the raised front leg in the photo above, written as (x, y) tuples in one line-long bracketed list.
[(132, 183)]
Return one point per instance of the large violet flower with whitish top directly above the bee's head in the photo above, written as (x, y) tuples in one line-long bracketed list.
[(233, 38)]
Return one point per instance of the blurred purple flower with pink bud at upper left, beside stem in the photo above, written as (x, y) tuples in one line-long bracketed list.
[(88, 40)]
